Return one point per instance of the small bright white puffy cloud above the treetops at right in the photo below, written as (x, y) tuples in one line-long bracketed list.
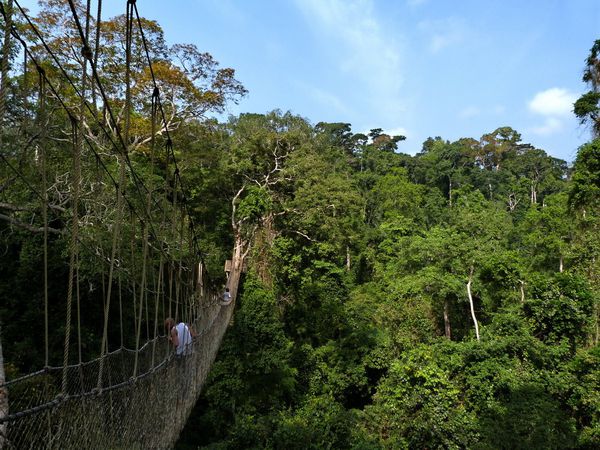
[(556, 105)]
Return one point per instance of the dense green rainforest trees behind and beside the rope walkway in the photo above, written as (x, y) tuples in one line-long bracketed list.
[(445, 299)]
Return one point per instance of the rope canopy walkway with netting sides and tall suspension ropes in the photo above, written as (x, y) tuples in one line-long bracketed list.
[(89, 175)]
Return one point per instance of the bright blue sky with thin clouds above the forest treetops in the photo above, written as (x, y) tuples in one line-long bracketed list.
[(449, 68)]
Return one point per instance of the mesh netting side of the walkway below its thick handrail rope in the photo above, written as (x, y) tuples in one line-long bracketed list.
[(121, 412)]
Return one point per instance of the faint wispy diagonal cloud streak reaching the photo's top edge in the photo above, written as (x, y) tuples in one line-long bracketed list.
[(365, 52)]
